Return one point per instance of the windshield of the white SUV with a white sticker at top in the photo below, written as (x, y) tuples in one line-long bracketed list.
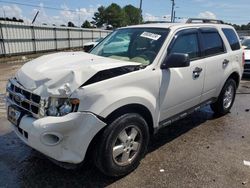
[(132, 44)]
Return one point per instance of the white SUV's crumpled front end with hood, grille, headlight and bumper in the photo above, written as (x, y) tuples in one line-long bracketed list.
[(43, 108)]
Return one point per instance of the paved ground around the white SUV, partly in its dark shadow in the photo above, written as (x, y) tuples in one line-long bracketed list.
[(198, 151)]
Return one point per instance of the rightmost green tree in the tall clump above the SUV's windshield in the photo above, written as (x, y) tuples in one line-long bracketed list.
[(133, 15)]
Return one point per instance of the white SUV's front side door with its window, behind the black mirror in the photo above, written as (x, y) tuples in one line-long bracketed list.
[(181, 88)]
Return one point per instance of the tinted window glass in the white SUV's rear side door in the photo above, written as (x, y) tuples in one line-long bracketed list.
[(213, 43)]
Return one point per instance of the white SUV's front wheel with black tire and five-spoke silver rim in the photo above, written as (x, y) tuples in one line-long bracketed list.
[(122, 145)]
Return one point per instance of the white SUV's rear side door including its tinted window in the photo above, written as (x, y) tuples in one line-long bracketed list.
[(217, 62)]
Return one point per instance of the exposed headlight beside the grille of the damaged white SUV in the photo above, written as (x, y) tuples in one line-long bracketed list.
[(62, 106)]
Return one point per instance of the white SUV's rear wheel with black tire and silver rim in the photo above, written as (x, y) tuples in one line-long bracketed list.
[(226, 98)]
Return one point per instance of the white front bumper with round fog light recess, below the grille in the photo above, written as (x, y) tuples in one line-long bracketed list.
[(65, 139)]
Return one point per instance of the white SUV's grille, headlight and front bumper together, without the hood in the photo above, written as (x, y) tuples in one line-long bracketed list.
[(51, 125)]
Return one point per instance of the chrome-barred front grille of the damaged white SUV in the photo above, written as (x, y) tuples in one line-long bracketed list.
[(23, 98)]
